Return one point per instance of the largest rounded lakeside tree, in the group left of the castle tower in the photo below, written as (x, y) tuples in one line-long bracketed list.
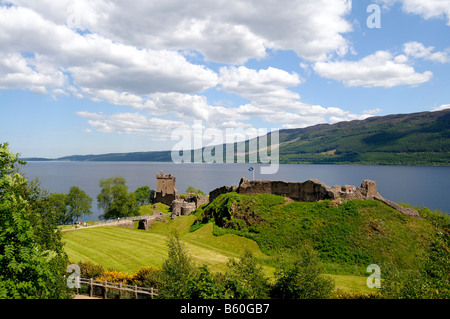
[(115, 200)]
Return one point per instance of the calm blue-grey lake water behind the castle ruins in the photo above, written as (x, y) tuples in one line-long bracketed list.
[(417, 185)]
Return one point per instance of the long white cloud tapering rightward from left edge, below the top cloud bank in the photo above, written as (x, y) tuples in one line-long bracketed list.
[(94, 62)]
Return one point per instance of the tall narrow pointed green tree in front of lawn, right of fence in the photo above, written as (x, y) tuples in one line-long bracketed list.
[(177, 270)]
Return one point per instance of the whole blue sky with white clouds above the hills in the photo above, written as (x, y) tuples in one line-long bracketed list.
[(94, 77)]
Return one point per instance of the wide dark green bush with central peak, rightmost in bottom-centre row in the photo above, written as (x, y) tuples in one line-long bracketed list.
[(302, 279)]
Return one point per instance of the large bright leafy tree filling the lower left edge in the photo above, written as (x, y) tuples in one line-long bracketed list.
[(32, 261)]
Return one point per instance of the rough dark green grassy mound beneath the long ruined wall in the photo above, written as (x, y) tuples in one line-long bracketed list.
[(348, 237)]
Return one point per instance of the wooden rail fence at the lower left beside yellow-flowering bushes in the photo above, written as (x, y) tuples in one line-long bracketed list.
[(132, 290)]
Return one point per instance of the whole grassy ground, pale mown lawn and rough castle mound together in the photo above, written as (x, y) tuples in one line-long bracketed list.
[(348, 238)]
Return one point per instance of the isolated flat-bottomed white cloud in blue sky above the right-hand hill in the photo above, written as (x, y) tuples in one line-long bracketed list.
[(380, 69)]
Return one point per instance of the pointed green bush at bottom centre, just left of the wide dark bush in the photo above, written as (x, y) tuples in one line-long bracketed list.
[(245, 279)]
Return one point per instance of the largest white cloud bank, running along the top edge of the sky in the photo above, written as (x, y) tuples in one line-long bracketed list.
[(223, 31)]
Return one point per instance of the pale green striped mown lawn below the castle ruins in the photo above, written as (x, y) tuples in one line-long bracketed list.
[(126, 249)]
